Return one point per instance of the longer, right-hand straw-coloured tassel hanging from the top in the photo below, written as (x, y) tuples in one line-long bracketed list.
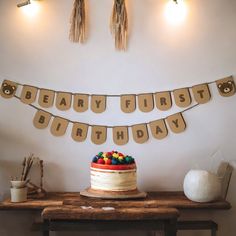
[(119, 24)]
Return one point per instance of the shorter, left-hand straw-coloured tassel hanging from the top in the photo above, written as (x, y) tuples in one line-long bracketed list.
[(78, 22)]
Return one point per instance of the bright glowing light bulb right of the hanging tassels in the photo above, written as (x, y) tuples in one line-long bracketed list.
[(176, 11)]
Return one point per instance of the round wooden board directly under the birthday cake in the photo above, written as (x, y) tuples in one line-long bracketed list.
[(133, 194)]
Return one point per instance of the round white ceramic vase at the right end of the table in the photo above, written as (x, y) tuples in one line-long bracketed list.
[(202, 186)]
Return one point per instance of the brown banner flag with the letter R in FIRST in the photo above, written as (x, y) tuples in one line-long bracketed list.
[(163, 100)]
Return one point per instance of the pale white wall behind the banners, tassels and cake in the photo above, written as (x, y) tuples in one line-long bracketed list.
[(37, 51)]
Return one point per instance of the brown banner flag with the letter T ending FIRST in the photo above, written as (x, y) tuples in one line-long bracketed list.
[(201, 93)]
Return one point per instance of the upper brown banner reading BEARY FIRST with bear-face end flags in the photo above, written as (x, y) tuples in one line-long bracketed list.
[(163, 100)]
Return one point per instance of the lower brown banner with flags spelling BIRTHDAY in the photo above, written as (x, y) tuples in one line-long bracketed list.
[(79, 131)]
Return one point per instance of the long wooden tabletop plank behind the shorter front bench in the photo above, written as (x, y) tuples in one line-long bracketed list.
[(153, 199)]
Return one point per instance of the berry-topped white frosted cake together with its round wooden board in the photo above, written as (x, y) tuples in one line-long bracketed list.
[(113, 176)]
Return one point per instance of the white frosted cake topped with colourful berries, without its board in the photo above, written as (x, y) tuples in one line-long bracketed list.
[(114, 172)]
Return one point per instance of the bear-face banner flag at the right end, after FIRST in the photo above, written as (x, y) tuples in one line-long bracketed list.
[(226, 86)]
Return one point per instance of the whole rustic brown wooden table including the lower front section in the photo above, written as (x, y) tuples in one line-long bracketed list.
[(62, 211)]
